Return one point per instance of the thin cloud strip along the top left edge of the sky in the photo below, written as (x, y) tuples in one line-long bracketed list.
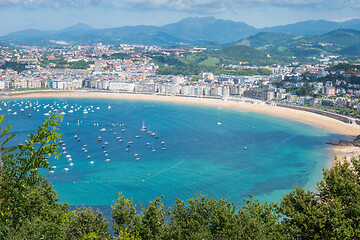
[(35, 4)]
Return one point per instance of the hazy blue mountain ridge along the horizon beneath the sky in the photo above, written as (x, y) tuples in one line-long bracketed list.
[(192, 30)]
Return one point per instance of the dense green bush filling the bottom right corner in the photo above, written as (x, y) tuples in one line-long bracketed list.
[(331, 213)]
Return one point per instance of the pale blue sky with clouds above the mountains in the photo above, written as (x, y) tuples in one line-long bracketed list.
[(16, 15)]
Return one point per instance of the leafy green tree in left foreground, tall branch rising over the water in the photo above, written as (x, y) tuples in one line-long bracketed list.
[(29, 207)]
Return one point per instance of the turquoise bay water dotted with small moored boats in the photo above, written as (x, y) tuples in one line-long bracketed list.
[(201, 155)]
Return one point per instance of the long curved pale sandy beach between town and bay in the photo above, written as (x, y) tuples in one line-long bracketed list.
[(330, 124)]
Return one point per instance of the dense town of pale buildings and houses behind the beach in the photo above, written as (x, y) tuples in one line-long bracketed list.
[(138, 75)]
